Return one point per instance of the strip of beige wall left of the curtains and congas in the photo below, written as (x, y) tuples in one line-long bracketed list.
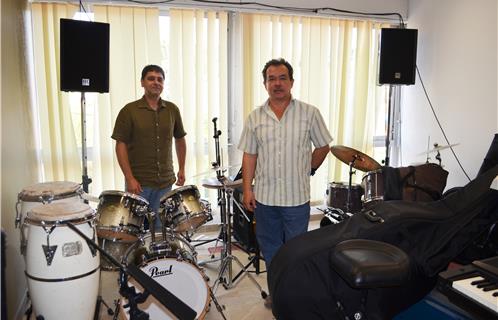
[(18, 160)]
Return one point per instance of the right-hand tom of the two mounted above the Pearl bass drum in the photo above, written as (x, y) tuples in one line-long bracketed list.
[(183, 210)]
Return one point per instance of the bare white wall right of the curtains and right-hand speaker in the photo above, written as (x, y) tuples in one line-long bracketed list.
[(457, 59)]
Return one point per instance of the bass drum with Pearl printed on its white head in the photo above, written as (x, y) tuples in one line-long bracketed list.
[(171, 263)]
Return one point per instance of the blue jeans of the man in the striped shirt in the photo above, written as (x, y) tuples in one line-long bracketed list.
[(276, 225)]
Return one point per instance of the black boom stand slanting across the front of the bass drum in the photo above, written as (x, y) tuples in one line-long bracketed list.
[(164, 296)]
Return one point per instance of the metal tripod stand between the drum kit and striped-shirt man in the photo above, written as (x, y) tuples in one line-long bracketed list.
[(225, 272)]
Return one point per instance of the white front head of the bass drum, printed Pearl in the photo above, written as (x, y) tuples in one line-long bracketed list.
[(183, 280)]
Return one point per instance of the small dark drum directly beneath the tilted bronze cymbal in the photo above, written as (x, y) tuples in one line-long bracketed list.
[(337, 196)]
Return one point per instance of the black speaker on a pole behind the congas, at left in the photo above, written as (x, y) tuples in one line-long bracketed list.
[(84, 56)]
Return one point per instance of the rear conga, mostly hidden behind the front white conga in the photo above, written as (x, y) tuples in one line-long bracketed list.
[(46, 192)]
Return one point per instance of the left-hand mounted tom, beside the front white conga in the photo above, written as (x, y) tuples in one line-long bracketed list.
[(120, 216)]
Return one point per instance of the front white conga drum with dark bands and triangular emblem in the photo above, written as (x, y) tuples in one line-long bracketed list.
[(62, 269)]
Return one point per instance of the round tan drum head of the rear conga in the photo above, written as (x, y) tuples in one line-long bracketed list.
[(56, 189)]
